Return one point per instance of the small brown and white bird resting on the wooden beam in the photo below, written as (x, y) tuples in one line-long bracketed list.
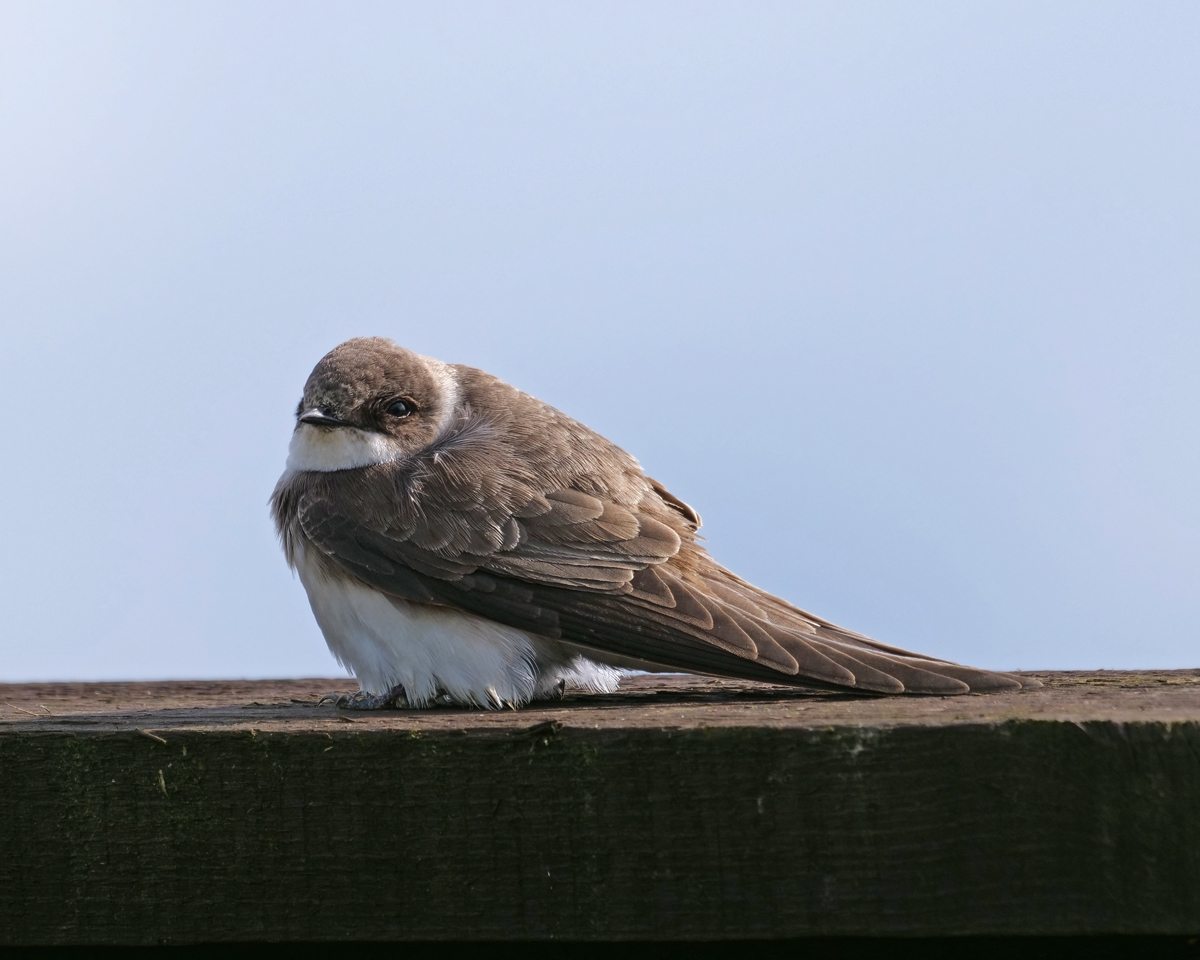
[(465, 544)]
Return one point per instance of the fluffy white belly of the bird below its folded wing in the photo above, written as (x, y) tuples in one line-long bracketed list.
[(436, 652)]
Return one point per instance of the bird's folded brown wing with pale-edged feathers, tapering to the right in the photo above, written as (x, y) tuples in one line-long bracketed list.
[(625, 578)]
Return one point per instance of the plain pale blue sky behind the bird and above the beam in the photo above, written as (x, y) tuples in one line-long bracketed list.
[(904, 298)]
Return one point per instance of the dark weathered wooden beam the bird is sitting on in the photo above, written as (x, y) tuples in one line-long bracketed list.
[(681, 808)]
